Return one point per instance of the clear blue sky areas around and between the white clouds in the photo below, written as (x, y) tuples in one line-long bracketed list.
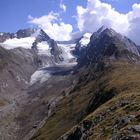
[(14, 13)]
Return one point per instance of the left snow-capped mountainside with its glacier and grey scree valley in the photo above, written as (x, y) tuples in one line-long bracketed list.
[(27, 63)]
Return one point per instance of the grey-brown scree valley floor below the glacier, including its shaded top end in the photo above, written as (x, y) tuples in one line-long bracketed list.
[(28, 111)]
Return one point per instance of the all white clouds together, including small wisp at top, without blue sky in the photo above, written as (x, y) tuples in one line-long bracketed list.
[(90, 19)]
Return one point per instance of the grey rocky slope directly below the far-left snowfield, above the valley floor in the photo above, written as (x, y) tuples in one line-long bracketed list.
[(16, 67)]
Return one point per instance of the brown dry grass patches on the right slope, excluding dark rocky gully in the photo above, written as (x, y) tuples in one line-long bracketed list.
[(123, 76)]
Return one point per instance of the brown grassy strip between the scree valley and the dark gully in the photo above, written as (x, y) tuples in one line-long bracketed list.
[(66, 115)]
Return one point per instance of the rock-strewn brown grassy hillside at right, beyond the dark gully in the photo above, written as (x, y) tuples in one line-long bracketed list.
[(119, 117)]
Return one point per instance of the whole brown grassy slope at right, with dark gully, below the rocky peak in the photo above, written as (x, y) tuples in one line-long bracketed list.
[(108, 118)]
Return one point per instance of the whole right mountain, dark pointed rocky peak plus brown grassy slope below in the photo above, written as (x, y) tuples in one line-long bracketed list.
[(104, 104)]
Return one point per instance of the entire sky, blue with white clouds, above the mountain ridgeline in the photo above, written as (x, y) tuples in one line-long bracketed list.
[(66, 19)]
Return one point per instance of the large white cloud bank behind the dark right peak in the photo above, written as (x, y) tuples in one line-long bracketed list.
[(97, 13)]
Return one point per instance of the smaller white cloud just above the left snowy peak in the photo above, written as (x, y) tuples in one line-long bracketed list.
[(53, 26)]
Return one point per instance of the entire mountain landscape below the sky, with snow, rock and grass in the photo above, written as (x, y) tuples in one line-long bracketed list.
[(83, 89)]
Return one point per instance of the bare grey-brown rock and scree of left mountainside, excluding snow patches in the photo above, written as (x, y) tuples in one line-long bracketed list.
[(24, 106)]
